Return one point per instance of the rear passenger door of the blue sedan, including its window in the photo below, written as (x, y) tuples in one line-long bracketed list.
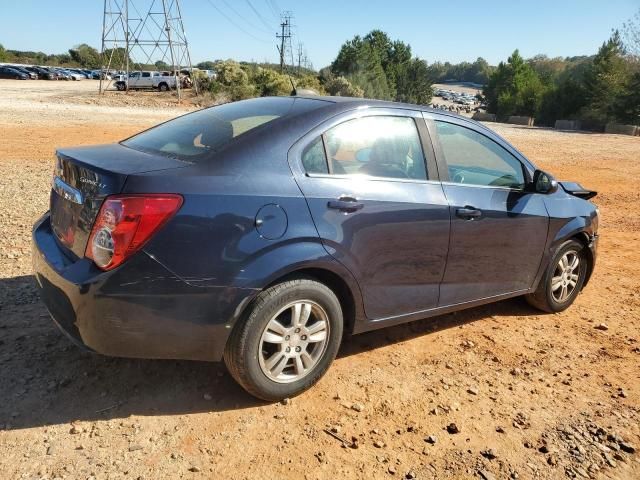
[(372, 187)]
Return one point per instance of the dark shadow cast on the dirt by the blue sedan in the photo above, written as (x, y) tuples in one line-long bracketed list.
[(46, 380)]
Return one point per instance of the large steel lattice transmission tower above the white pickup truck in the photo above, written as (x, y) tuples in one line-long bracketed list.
[(143, 34)]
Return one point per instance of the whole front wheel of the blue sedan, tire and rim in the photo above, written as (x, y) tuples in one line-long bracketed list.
[(563, 279)]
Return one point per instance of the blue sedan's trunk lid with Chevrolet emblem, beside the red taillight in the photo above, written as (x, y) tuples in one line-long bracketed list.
[(84, 177)]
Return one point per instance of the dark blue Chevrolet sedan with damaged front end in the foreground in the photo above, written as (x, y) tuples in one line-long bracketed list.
[(260, 231)]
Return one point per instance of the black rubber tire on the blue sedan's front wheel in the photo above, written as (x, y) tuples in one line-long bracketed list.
[(544, 298)]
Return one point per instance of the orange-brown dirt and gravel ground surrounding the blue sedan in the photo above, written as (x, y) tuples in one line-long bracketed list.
[(531, 395)]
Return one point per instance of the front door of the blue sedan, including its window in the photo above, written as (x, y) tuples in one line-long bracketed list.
[(498, 230)]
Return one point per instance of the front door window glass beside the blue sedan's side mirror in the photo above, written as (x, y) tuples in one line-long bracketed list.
[(474, 159)]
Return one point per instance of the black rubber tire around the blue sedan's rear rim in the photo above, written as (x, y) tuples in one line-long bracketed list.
[(244, 347)]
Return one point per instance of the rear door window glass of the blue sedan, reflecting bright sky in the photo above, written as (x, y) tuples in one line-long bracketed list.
[(371, 146)]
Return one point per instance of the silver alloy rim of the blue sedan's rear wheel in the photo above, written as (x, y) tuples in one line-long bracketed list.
[(294, 341)]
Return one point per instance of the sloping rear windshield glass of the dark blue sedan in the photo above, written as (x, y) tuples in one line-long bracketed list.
[(192, 137)]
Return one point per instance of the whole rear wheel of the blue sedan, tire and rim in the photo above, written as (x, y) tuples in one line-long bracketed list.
[(287, 341)]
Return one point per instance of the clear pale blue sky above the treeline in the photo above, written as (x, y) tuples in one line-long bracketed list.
[(454, 31)]
